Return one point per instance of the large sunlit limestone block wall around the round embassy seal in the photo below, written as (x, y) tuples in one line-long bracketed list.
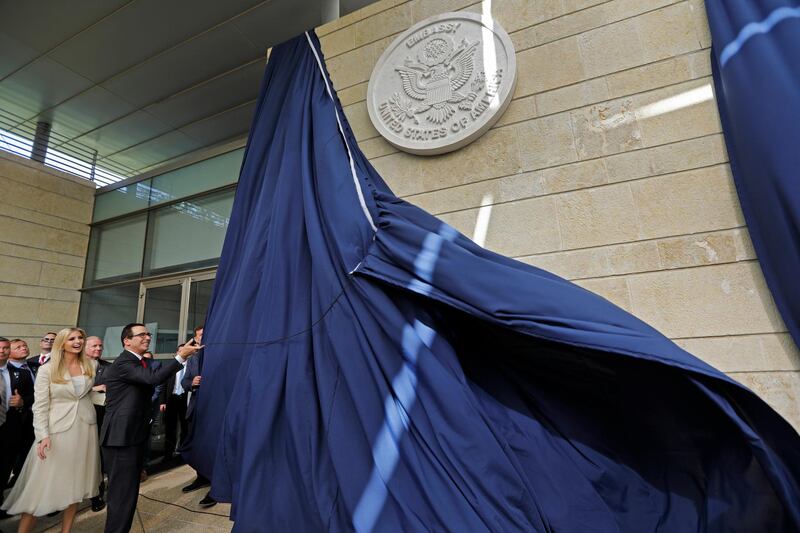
[(608, 168)]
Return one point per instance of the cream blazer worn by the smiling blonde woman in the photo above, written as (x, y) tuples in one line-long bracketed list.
[(56, 407)]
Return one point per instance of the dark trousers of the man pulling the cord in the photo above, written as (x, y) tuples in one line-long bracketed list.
[(124, 465)]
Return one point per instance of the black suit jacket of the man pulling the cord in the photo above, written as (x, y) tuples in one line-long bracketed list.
[(129, 391)]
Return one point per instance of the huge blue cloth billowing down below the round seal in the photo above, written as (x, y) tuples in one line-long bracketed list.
[(369, 368)]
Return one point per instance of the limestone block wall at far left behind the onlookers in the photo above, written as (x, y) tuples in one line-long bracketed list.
[(44, 234)]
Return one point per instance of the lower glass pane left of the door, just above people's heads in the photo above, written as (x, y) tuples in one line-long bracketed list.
[(104, 312)]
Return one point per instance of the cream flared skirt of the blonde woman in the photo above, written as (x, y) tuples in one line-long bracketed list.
[(69, 474)]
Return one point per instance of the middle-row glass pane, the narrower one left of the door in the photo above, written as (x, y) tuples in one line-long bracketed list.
[(115, 250)]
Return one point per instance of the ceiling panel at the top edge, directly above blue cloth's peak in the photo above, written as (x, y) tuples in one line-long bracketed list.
[(275, 22)]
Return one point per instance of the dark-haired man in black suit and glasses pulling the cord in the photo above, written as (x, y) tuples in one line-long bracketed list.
[(129, 385)]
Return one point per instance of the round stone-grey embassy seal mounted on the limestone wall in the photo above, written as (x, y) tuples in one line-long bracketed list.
[(442, 83)]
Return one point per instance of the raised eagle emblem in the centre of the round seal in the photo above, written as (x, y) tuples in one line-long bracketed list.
[(433, 80)]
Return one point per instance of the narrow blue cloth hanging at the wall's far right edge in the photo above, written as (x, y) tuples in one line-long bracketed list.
[(756, 67)]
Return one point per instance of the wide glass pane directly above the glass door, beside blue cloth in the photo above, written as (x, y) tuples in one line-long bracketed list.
[(187, 234)]
